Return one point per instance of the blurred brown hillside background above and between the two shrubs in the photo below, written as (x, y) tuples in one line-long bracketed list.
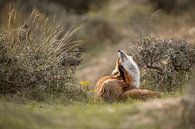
[(108, 25)]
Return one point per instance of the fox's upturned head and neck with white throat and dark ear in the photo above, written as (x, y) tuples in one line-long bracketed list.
[(127, 68)]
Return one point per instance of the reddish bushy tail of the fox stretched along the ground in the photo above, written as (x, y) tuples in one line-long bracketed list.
[(140, 94)]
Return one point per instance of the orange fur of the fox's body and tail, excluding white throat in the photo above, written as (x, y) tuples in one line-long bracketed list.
[(119, 87)]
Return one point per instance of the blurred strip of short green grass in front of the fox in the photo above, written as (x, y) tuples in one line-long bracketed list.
[(132, 114)]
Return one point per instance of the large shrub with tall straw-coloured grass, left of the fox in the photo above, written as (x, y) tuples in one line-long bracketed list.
[(38, 57)]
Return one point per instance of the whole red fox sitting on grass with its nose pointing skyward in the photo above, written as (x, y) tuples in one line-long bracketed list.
[(123, 82)]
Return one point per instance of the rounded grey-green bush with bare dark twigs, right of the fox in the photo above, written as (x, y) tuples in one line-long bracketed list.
[(165, 64)]
